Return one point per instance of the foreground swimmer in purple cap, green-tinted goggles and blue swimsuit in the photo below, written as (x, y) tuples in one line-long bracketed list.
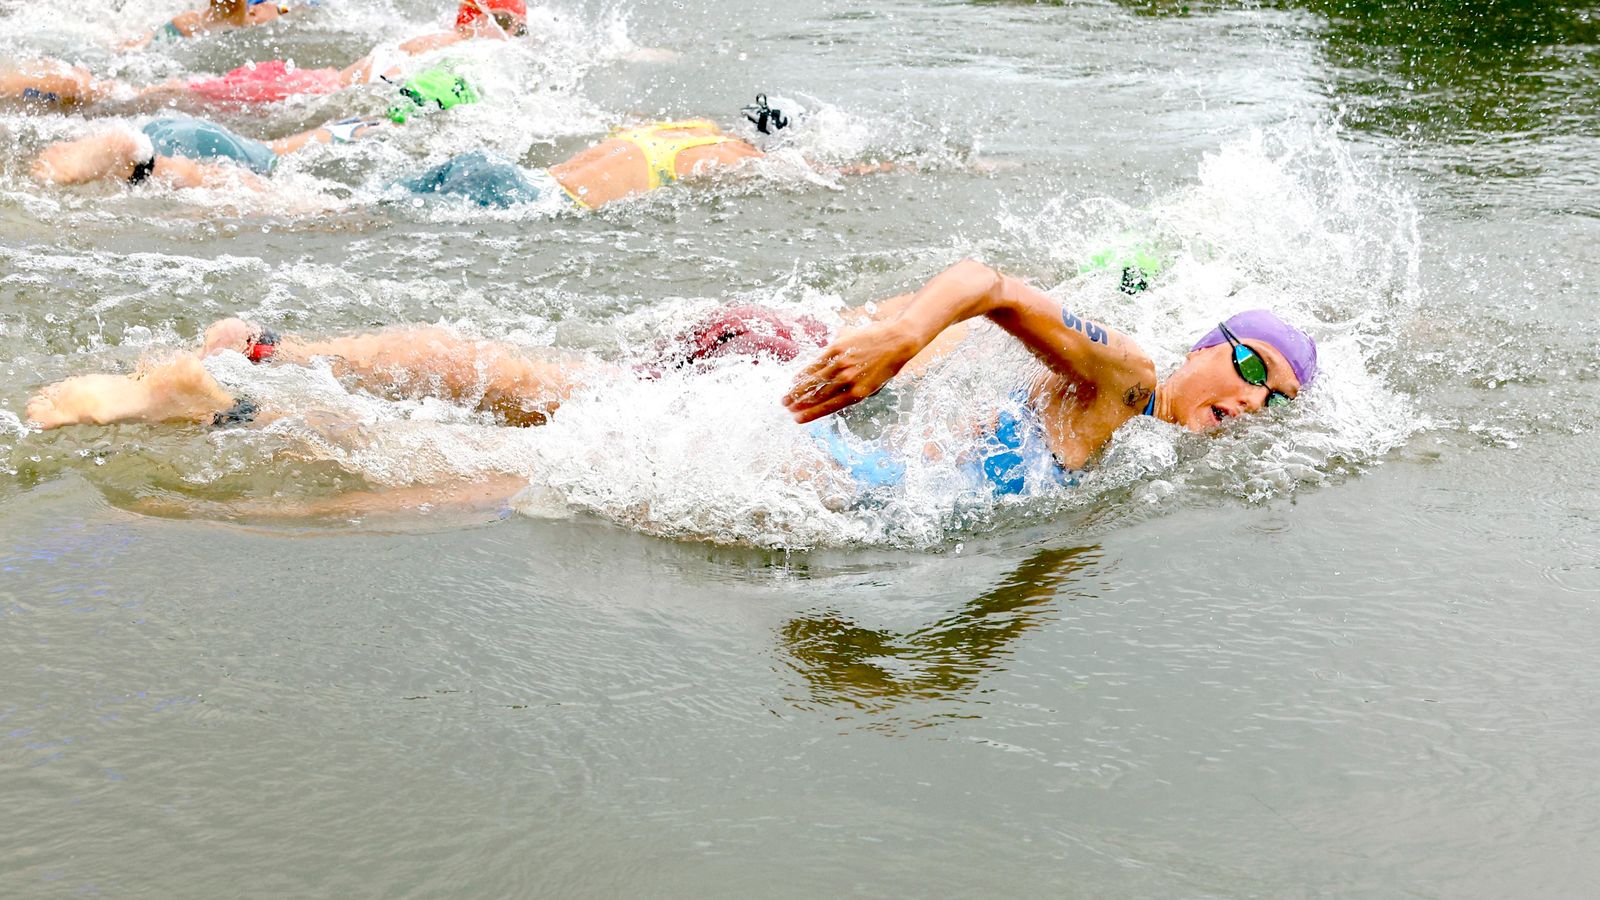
[(1095, 379)]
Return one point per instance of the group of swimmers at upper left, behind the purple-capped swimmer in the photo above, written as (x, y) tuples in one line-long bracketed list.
[(185, 151)]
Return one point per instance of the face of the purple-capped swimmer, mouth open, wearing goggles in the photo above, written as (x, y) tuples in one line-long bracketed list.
[(1207, 392)]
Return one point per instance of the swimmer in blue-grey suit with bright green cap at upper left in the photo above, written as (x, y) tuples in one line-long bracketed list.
[(182, 151)]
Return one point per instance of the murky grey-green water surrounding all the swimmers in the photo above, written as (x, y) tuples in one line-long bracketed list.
[(1345, 653)]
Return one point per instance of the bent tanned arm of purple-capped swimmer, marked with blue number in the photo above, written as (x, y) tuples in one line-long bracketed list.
[(1082, 356)]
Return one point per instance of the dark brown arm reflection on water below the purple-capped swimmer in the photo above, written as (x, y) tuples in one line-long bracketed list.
[(878, 670)]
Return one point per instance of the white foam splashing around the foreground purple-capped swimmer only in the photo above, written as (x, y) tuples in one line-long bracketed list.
[(711, 456)]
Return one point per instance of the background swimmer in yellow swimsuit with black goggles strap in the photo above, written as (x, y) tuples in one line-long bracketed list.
[(630, 163)]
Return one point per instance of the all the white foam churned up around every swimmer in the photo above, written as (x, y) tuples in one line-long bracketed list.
[(1286, 219)]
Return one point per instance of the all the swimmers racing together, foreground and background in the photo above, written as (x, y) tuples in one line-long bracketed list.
[(1054, 424)]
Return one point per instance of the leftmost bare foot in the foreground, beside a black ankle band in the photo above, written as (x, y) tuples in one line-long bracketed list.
[(175, 392)]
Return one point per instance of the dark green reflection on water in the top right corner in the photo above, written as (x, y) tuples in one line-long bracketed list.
[(1478, 82)]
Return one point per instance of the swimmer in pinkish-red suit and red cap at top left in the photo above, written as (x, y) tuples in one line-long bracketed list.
[(50, 82)]
